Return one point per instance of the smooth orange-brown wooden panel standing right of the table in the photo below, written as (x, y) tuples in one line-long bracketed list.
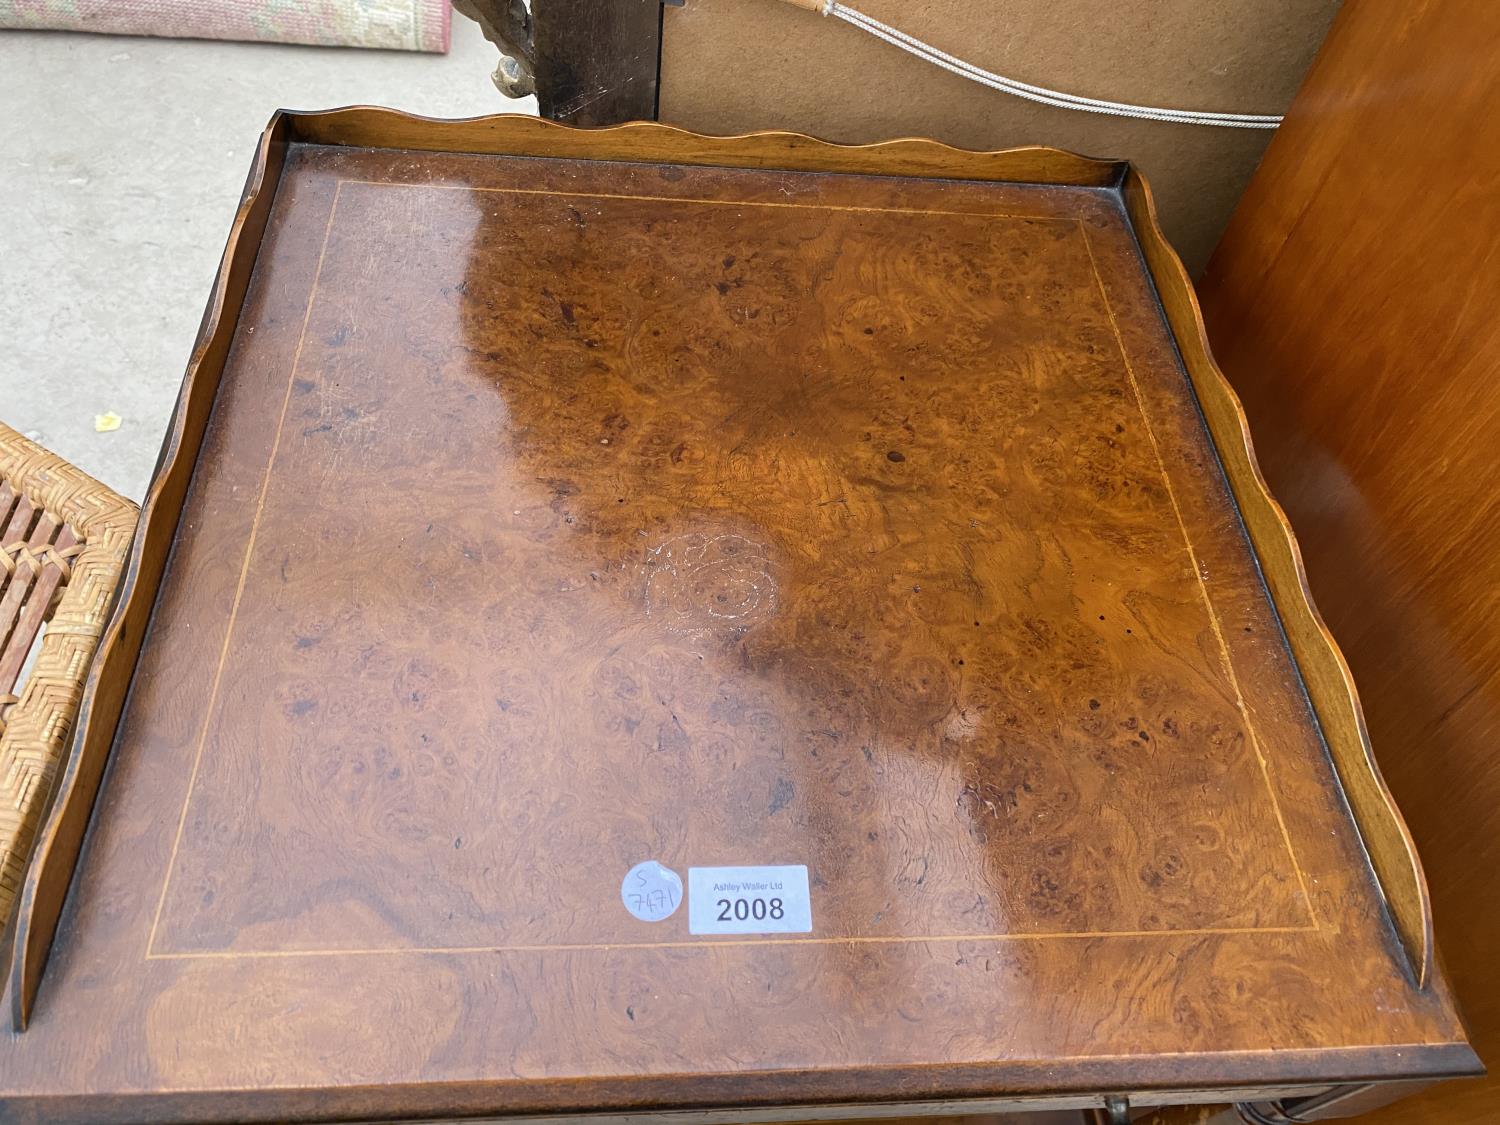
[(1354, 305)]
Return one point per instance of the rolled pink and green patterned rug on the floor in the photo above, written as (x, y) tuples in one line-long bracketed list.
[(392, 25)]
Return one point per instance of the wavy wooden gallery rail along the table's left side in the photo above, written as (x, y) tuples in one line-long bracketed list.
[(62, 833)]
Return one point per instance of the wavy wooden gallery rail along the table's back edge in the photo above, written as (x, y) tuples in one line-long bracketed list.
[(518, 136)]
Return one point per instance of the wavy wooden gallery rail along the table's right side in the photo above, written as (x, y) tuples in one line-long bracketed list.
[(1325, 673)]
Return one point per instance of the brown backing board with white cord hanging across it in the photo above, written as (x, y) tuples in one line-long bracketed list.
[(734, 67)]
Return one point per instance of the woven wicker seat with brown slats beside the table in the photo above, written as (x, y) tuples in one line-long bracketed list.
[(64, 539)]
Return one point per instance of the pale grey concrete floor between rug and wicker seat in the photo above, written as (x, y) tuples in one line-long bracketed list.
[(119, 178)]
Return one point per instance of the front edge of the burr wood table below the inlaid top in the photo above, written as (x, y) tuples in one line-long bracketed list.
[(830, 1097)]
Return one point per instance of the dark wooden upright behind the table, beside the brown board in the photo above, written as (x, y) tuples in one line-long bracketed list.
[(598, 61)]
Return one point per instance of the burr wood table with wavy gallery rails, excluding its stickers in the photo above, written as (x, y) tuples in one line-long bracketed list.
[(545, 502)]
